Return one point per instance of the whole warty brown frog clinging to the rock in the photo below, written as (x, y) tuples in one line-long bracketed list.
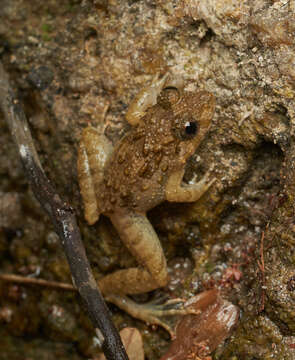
[(143, 169)]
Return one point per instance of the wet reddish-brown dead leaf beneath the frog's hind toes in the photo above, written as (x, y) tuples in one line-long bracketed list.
[(197, 336)]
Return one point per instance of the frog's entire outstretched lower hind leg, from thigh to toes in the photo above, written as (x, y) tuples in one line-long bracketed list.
[(140, 238)]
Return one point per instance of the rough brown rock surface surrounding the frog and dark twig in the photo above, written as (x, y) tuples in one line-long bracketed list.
[(81, 62)]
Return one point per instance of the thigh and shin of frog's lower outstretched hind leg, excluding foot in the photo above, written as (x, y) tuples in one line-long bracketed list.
[(140, 238)]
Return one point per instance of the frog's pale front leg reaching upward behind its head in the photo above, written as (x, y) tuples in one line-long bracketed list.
[(144, 99)]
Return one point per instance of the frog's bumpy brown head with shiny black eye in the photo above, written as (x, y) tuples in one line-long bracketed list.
[(192, 115)]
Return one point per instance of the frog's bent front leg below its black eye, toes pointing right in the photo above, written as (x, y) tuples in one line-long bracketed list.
[(177, 192)]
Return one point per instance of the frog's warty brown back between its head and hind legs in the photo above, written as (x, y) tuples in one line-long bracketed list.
[(136, 173)]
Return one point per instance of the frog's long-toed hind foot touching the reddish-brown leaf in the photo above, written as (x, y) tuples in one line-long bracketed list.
[(153, 313)]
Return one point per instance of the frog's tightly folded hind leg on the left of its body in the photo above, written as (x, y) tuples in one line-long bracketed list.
[(93, 152)]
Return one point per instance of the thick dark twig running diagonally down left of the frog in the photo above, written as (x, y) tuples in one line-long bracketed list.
[(64, 221)]
